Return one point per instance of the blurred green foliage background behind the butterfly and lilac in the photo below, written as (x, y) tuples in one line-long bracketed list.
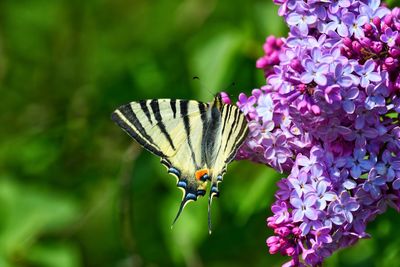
[(76, 191)]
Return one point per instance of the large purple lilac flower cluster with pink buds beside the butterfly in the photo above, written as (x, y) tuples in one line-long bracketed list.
[(328, 116)]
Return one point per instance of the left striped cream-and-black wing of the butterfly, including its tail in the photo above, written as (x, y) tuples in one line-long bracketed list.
[(172, 130)]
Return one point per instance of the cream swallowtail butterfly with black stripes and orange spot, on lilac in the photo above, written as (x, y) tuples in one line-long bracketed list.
[(195, 140)]
